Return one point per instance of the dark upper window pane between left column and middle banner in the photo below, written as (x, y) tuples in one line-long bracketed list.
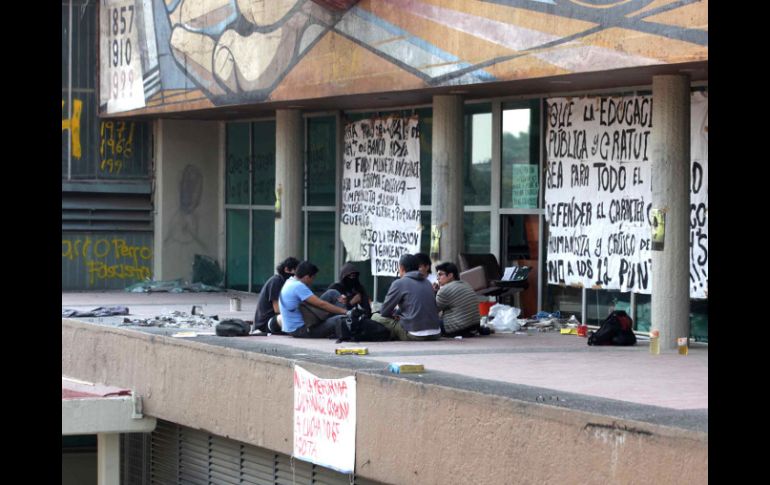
[(321, 161)]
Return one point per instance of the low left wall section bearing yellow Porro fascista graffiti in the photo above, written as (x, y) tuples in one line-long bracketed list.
[(107, 260)]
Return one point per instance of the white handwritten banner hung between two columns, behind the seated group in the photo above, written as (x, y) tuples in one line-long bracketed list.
[(380, 217)]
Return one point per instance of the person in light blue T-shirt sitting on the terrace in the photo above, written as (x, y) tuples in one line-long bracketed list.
[(303, 314)]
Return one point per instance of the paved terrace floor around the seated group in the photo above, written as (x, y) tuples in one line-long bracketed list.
[(548, 368)]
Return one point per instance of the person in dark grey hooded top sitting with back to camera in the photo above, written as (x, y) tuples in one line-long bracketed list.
[(417, 315)]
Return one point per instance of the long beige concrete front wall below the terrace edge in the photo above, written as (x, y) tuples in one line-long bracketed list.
[(408, 431)]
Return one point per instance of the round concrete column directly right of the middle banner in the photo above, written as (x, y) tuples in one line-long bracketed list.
[(447, 175)]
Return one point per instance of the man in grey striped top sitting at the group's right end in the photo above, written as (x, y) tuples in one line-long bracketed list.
[(458, 303)]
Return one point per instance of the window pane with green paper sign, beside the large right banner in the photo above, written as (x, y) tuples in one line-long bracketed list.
[(520, 157)]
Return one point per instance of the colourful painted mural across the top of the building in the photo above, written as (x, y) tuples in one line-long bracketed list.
[(173, 55)]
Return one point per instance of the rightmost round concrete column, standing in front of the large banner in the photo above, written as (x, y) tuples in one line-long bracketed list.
[(671, 194)]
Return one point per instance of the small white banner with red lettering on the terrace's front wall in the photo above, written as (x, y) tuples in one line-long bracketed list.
[(325, 420)]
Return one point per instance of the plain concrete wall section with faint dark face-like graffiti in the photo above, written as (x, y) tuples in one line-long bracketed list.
[(187, 196)]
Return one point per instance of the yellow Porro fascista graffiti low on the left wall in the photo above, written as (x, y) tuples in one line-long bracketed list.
[(91, 250)]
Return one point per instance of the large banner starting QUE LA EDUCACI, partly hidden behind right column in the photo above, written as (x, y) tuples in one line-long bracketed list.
[(598, 194)]
